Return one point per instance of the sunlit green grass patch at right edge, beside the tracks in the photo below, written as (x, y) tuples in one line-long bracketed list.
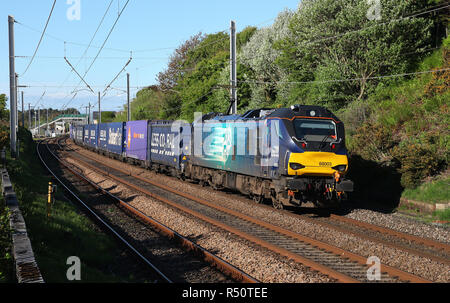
[(436, 191)]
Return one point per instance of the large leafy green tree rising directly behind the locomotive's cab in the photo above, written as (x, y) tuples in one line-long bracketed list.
[(335, 40)]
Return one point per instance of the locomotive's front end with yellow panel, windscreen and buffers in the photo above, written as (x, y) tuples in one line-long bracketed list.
[(316, 158)]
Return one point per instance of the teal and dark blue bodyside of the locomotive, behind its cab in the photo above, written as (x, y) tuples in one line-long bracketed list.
[(244, 147)]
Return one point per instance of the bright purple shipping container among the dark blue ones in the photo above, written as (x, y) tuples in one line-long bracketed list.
[(136, 139)]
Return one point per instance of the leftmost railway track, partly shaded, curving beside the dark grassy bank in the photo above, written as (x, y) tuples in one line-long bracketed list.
[(189, 263)]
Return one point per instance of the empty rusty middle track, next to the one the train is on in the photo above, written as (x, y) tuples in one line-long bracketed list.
[(337, 263)]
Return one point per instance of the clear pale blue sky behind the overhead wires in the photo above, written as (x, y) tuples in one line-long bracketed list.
[(151, 29)]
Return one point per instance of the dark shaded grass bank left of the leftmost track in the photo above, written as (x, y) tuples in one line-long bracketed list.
[(66, 233)]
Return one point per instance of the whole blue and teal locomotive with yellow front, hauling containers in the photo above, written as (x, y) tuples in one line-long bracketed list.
[(288, 155)]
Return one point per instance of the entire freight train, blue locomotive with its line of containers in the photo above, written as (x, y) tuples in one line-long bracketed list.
[(288, 156)]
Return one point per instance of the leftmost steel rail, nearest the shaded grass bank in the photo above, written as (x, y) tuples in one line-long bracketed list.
[(93, 213)]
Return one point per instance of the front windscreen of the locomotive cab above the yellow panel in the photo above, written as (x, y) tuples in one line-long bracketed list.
[(315, 130)]
